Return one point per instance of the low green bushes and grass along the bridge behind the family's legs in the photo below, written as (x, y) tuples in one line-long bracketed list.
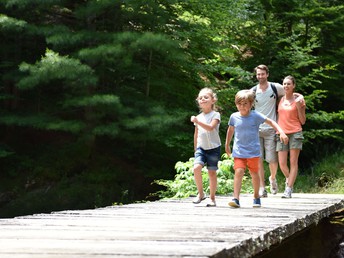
[(326, 176)]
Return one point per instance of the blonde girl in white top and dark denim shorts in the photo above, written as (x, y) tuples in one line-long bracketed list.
[(207, 143)]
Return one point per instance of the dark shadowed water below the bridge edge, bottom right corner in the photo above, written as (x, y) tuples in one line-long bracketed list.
[(324, 240)]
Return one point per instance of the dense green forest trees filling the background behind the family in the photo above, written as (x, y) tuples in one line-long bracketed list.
[(96, 96)]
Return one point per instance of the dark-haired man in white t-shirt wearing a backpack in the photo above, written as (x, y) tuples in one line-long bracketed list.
[(266, 102)]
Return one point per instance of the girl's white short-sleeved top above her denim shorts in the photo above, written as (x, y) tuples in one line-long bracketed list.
[(208, 139)]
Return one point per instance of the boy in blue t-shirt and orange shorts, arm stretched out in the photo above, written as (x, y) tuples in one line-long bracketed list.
[(244, 125)]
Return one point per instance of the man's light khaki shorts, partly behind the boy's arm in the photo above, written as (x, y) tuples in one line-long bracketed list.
[(267, 138)]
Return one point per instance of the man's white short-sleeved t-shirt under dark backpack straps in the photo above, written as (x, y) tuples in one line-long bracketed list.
[(265, 102)]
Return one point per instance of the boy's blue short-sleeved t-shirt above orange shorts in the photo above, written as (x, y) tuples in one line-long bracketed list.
[(246, 134)]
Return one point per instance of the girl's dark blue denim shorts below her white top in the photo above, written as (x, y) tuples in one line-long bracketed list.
[(209, 157)]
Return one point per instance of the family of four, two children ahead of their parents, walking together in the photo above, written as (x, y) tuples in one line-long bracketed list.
[(259, 133)]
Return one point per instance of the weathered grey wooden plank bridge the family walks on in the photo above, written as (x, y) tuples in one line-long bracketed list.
[(171, 228)]
